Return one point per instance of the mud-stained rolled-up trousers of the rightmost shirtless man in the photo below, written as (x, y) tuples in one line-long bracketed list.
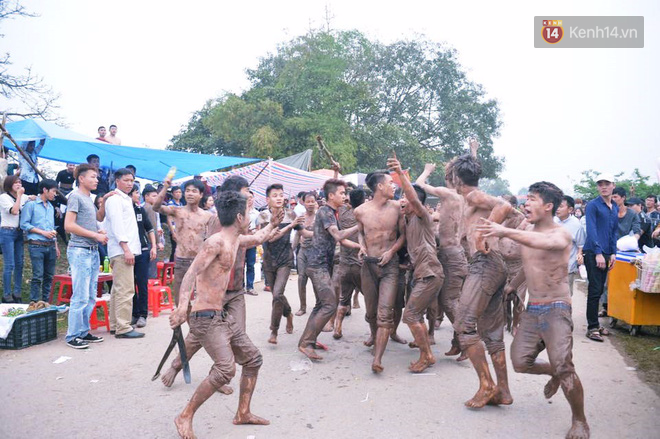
[(545, 326)]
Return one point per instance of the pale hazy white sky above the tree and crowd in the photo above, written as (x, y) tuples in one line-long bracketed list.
[(146, 66)]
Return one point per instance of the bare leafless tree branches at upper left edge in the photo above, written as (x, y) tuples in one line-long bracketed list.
[(34, 97)]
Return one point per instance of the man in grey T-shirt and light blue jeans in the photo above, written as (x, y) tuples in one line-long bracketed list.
[(82, 252)]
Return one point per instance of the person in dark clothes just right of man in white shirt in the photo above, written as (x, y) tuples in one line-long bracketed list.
[(143, 261)]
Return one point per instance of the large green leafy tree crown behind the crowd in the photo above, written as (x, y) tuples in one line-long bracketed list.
[(365, 98)]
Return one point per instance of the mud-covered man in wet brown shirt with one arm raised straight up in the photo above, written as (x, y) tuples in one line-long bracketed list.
[(427, 270)]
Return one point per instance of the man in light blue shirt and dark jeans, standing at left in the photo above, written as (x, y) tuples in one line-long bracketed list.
[(38, 221)]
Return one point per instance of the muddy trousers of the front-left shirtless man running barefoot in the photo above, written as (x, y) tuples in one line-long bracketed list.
[(226, 343)]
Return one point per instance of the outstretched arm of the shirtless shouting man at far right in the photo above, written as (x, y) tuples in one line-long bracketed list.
[(557, 239)]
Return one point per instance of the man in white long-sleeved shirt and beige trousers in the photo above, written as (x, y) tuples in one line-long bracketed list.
[(123, 246)]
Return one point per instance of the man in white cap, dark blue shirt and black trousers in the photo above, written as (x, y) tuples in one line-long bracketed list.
[(599, 249)]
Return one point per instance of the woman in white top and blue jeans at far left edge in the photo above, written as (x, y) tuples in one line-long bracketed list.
[(11, 238)]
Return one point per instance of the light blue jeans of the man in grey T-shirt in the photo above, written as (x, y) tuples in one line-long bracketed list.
[(84, 263)]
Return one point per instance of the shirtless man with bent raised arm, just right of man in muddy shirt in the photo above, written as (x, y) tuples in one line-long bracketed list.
[(451, 254)]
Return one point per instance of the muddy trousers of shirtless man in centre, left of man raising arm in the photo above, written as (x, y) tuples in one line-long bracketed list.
[(380, 286)]
